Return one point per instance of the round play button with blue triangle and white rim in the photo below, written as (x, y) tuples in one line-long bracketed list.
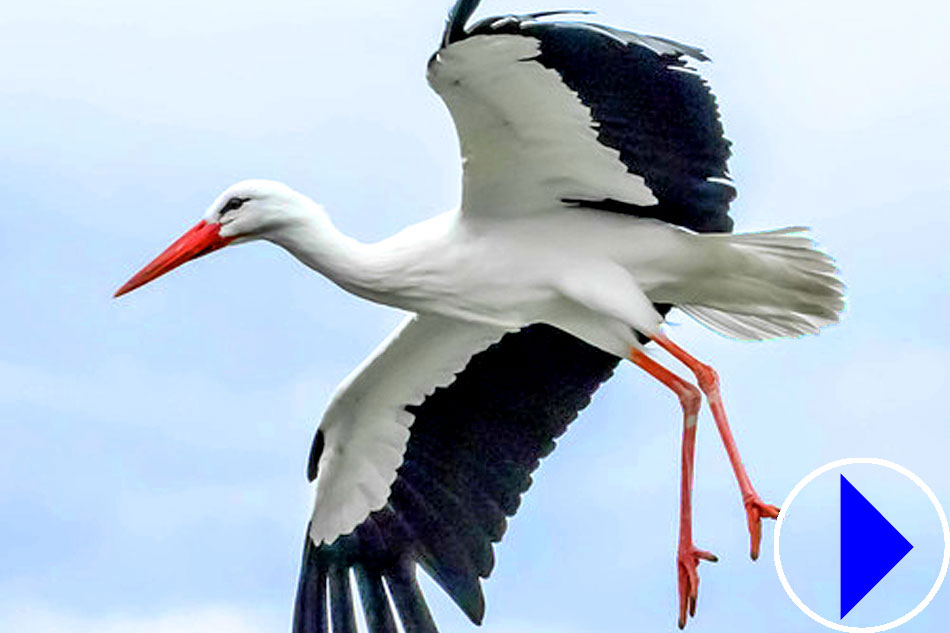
[(862, 545)]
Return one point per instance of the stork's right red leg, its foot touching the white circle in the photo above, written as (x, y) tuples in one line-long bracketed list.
[(708, 381)]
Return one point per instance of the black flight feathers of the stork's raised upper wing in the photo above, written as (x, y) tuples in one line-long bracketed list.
[(663, 121)]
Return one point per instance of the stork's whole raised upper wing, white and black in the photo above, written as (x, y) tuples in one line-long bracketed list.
[(554, 113)]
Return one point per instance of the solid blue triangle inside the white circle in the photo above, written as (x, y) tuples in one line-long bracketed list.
[(870, 546)]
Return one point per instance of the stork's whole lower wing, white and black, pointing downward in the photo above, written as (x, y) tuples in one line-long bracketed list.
[(421, 456)]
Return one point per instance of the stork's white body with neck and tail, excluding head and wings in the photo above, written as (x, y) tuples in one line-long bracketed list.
[(593, 274)]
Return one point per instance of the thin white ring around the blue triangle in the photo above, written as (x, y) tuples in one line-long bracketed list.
[(876, 462)]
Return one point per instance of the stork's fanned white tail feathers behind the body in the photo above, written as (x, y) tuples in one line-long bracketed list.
[(771, 284)]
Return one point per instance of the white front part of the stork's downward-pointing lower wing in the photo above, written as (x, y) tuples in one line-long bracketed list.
[(364, 431)]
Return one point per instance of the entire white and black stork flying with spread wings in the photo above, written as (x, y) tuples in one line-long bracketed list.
[(595, 199)]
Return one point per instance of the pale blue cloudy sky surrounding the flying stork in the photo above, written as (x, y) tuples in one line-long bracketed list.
[(154, 449)]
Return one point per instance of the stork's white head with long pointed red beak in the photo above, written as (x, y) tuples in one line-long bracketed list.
[(248, 210)]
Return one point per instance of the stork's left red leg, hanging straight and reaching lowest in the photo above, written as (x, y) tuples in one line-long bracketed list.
[(687, 556)]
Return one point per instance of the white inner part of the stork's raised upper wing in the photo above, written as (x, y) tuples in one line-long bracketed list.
[(526, 141)]
